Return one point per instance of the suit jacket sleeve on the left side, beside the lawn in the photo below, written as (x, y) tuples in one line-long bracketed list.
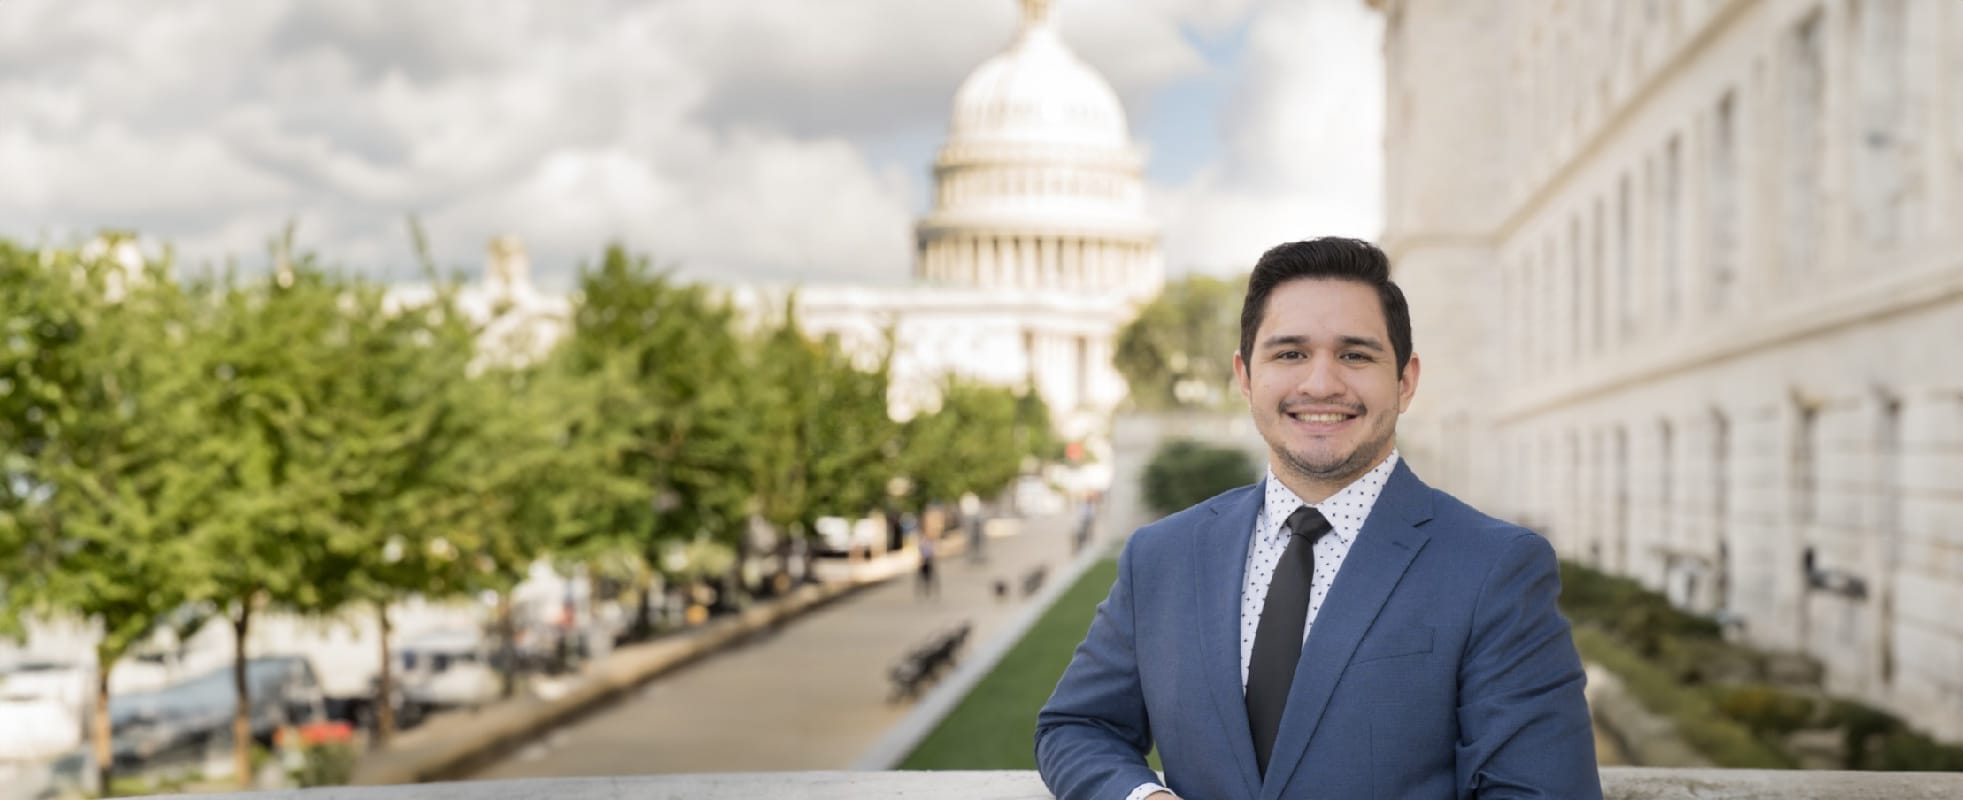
[(1092, 736)]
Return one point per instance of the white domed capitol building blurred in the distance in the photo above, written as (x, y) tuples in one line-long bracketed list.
[(1035, 254)]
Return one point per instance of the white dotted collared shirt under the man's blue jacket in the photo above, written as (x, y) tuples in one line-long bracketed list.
[(1346, 513)]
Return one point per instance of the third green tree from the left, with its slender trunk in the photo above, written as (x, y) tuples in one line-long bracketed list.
[(409, 426)]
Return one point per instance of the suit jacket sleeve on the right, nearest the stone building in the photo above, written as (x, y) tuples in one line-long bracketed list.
[(1524, 725)]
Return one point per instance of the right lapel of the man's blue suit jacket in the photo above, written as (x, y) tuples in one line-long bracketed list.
[(1377, 562)]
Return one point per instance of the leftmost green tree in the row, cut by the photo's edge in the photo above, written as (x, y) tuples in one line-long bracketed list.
[(95, 495)]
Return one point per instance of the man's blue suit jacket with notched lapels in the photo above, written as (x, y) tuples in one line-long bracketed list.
[(1438, 668)]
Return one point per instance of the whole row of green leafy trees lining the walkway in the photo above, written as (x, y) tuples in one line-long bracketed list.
[(187, 452)]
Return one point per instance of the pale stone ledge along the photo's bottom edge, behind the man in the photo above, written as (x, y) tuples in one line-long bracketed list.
[(1620, 783)]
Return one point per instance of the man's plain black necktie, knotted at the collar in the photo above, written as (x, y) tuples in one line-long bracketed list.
[(1279, 636)]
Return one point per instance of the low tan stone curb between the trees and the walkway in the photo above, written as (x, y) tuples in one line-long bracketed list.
[(456, 744)]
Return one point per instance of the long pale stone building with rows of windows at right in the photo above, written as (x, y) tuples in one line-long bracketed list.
[(1689, 287)]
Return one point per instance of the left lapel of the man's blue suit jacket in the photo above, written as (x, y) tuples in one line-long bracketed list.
[(1220, 558)]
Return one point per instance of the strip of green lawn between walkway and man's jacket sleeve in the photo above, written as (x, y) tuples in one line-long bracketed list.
[(996, 725)]
